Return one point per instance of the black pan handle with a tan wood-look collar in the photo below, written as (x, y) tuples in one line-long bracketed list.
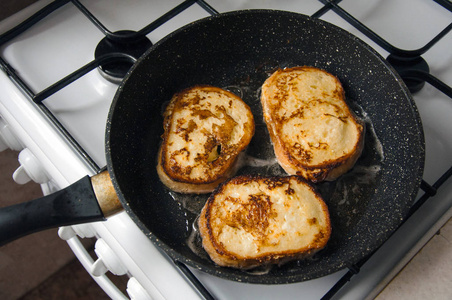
[(87, 200)]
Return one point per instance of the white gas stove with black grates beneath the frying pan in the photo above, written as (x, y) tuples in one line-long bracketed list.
[(54, 103)]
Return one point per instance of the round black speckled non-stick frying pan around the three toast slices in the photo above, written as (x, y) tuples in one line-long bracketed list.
[(238, 51)]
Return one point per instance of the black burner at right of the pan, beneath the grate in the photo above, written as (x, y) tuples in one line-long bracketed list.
[(402, 64)]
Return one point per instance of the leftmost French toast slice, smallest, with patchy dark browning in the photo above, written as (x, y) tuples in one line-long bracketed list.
[(205, 130)]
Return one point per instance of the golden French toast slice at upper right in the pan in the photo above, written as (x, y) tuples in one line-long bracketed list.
[(313, 131)]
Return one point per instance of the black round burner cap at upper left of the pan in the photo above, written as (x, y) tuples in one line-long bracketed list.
[(116, 70)]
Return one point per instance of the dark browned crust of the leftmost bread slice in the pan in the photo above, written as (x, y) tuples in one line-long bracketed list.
[(175, 176)]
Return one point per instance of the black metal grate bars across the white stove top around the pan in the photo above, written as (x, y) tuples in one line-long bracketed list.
[(409, 63)]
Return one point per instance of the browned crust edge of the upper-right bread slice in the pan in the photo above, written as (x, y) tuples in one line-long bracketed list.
[(328, 170)]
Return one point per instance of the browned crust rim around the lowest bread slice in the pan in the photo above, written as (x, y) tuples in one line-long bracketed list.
[(221, 256)]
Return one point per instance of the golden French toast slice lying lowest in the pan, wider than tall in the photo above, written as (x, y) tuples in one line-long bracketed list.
[(252, 221)]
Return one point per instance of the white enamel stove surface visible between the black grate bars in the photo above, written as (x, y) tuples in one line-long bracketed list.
[(66, 40)]
